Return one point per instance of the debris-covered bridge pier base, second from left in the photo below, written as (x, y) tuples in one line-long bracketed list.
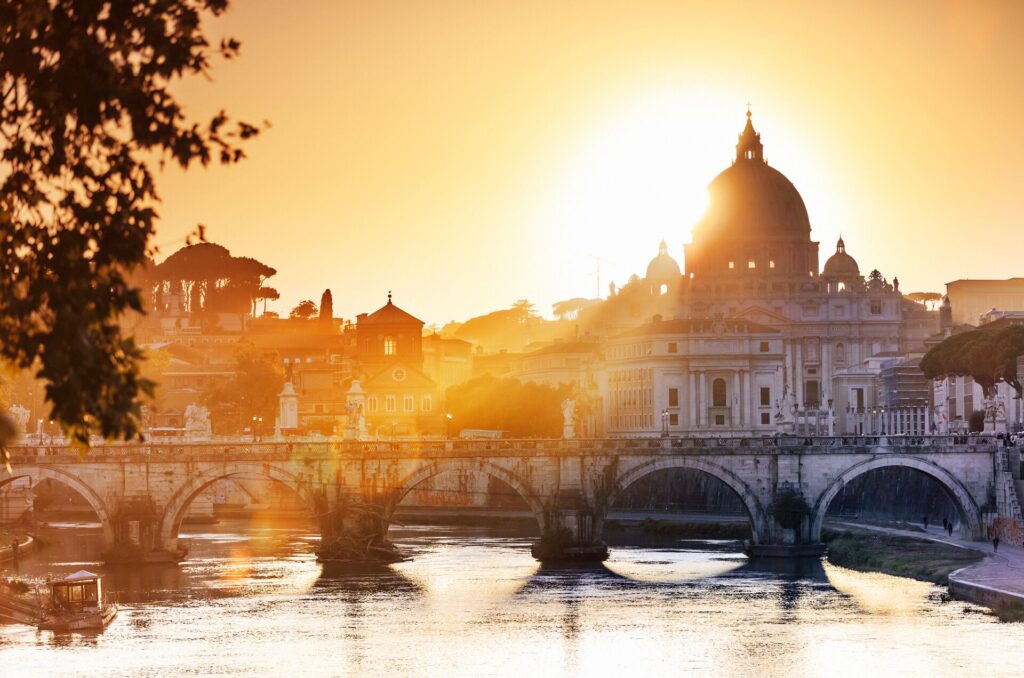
[(354, 529)]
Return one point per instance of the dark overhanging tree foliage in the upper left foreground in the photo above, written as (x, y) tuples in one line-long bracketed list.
[(88, 105)]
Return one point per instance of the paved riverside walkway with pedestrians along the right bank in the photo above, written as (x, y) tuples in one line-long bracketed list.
[(1003, 571)]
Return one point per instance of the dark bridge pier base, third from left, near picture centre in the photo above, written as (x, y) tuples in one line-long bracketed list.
[(570, 532)]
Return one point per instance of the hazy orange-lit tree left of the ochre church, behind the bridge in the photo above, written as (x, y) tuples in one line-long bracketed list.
[(251, 393)]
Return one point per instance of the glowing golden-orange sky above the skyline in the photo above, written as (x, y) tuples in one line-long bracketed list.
[(470, 154)]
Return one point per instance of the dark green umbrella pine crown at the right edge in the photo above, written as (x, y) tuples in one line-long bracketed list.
[(988, 356)]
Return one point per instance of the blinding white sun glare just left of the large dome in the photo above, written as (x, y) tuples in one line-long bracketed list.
[(639, 175)]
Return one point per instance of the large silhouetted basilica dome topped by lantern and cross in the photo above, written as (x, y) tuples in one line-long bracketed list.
[(751, 201)]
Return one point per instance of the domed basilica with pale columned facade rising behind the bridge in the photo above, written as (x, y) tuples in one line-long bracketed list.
[(751, 330)]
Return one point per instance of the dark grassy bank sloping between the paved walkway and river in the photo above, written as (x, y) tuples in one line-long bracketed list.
[(903, 557)]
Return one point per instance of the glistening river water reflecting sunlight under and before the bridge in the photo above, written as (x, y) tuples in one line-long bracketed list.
[(252, 600)]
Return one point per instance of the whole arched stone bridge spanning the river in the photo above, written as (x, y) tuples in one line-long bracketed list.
[(141, 493)]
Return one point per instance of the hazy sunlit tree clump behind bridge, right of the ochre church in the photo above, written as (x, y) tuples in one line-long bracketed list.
[(507, 405)]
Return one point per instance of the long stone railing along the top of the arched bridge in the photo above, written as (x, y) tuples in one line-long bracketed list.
[(505, 447)]
